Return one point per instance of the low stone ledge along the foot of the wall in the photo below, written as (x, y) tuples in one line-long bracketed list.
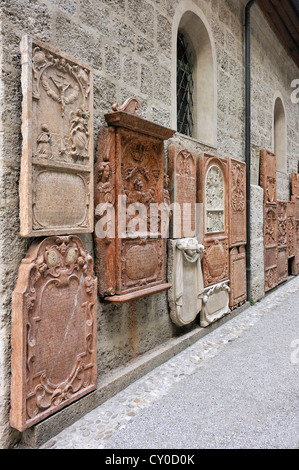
[(116, 381)]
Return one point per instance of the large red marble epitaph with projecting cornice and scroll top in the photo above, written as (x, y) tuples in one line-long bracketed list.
[(134, 183)]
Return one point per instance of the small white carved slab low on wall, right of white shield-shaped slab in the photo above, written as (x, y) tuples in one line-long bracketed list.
[(215, 303)]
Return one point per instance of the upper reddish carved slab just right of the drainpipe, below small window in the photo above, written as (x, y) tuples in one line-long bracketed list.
[(268, 176)]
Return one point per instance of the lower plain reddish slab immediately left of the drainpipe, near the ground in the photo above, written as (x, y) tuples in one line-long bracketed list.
[(238, 291)]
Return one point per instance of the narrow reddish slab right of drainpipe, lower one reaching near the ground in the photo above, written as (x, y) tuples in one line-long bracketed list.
[(271, 246)]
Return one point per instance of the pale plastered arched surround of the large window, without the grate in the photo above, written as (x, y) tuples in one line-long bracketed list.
[(190, 22)]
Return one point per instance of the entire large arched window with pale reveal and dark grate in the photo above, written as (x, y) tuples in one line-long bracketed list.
[(194, 75)]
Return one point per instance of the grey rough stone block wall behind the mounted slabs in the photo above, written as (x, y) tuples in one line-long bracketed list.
[(129, 44)]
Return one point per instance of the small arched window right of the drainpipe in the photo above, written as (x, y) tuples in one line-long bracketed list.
[(280, 134)]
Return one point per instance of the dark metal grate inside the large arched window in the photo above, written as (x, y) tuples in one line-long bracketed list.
[(184, 87)]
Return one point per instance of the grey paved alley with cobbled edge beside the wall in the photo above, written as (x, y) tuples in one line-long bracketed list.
[(236, 388)]
